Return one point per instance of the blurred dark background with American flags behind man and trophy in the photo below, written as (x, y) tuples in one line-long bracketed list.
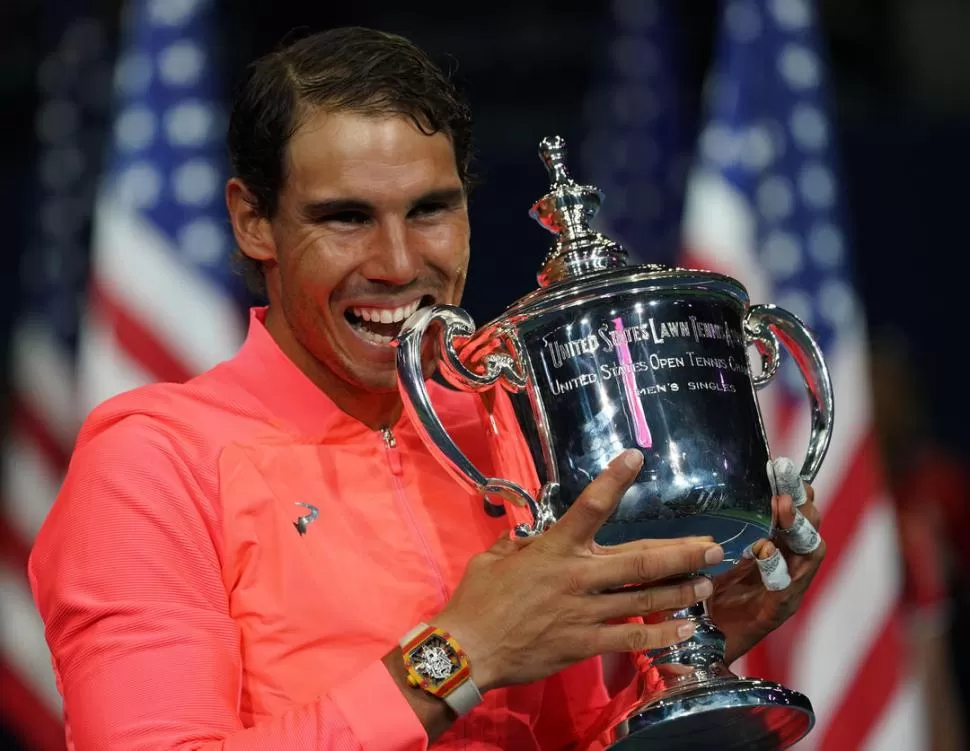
[(817, 152)]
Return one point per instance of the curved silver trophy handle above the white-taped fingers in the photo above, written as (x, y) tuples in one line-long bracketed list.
[(765, 326)]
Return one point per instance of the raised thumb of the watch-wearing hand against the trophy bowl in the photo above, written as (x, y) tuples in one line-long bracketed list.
[(595, 504)]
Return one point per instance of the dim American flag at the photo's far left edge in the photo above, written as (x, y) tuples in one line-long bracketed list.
[(73, 87)]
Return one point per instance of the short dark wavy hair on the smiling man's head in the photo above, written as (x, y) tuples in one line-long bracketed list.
[(351, 69)]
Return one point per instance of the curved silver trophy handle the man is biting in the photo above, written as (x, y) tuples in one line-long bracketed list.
[(456, 323)]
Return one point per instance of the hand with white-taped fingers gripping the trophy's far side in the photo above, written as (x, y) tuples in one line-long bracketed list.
[(764, 590)]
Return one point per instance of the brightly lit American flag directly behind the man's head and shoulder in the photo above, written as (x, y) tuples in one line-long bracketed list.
[(164, 303)]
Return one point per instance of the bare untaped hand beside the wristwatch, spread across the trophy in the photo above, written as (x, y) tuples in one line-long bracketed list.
[(527, 609)]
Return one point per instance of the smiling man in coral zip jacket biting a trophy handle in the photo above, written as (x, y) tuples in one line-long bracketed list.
[(235, 562)]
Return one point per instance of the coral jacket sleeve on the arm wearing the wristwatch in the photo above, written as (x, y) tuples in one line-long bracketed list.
[(126, 575)]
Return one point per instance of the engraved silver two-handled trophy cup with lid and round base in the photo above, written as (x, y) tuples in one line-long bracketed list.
[(606, 356)]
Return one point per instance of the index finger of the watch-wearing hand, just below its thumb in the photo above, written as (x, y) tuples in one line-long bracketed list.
[(612, 571)]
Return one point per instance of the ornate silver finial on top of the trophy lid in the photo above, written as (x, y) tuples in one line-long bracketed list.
[(566, 211)]
